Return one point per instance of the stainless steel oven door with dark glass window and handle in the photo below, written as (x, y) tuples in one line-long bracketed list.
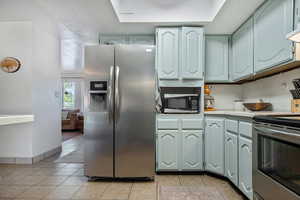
[(276, 163)]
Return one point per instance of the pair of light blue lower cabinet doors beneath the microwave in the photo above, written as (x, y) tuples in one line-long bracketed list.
[(179, 150)]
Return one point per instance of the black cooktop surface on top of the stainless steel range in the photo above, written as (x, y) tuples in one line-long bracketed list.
[(292, 121)]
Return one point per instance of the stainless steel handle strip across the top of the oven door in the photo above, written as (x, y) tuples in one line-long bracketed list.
[(282, 135)]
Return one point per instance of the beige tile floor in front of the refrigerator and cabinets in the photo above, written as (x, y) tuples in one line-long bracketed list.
[(50, 180)]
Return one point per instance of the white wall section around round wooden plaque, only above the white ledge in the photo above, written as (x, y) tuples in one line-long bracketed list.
[(16, 89)]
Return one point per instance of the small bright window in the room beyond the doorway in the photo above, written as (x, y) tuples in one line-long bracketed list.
[(69, 95)]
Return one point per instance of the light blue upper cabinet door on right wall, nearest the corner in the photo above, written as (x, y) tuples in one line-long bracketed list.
[(242, 51)]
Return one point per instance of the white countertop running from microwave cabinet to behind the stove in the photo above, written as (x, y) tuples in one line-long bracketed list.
[(249, 114)]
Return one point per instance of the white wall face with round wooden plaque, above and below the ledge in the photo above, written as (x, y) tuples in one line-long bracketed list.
[(16, 89)]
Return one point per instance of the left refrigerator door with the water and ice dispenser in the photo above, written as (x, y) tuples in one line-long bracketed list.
[(99, 122)]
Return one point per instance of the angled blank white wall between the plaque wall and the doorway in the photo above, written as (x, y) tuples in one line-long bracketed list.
[(46, 89)]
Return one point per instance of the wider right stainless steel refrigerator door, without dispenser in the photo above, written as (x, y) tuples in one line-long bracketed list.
[(134, 111)]
